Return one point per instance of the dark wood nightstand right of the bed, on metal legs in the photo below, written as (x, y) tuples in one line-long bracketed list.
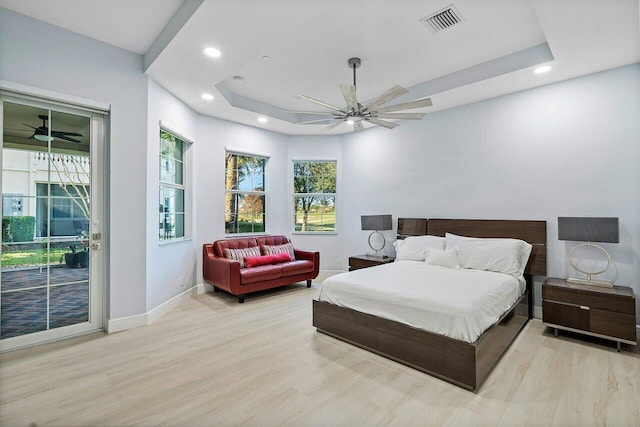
[(602, 312)]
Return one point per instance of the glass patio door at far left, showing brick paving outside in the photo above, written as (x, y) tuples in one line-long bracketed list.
[(48, 286)]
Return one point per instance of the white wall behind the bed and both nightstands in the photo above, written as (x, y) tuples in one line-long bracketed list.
[(567, 149)]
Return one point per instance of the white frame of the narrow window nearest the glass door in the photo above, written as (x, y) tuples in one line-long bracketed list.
[(184, 187)]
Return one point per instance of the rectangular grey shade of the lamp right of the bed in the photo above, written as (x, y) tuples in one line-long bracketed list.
[(588, 229)]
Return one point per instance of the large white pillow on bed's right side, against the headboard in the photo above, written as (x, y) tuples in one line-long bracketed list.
[(509, 256)]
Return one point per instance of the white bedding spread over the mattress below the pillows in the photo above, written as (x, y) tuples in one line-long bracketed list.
[(458, 303)]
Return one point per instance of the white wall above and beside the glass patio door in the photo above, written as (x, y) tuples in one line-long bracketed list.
[(43, 56)]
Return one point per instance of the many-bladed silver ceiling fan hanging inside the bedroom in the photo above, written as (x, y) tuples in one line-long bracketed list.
[(355, 113)]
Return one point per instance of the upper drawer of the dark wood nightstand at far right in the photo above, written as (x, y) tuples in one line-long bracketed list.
[(591, 299)]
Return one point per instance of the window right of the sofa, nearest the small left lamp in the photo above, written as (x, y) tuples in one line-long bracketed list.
[(314, 196)]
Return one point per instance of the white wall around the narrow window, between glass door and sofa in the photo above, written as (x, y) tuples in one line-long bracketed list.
[(171, 268)]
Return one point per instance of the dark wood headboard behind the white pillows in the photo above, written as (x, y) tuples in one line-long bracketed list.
[(532, 232)]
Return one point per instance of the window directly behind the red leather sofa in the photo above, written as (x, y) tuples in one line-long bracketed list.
[(244, 207)]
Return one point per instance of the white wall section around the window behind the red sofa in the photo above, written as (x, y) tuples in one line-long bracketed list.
[(213, 136)]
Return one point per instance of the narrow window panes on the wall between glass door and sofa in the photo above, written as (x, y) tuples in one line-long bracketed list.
[(172, 186)]
